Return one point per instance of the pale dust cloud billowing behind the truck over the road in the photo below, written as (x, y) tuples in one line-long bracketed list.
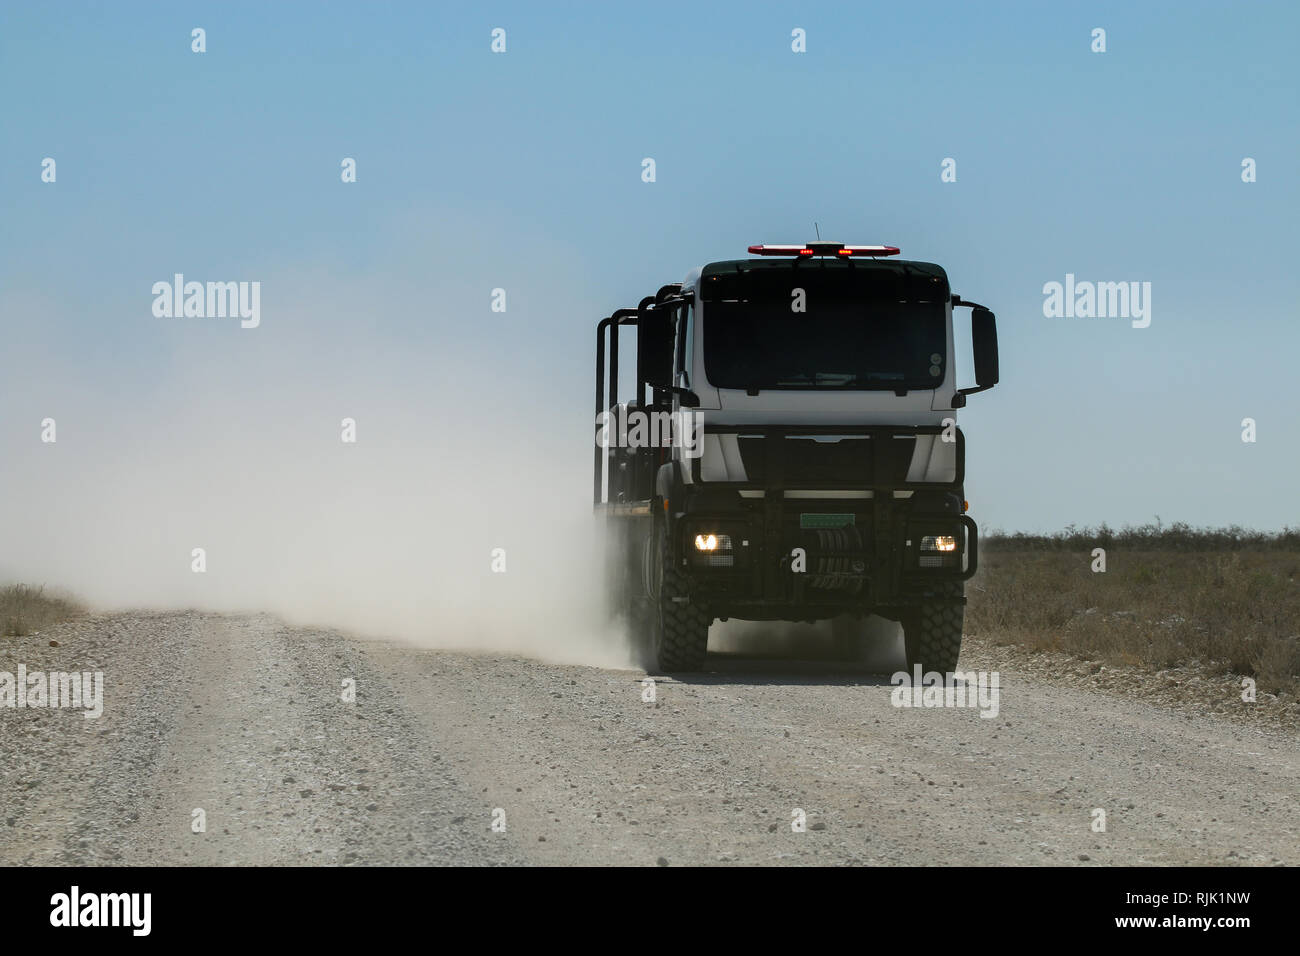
[(203, 435)]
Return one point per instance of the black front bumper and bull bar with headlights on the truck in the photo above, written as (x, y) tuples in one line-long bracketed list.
[(766, 551)]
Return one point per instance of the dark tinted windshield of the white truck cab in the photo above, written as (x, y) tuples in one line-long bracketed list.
[(838, 327)]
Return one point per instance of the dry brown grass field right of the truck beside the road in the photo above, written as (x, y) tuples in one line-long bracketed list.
[(1229, 612)]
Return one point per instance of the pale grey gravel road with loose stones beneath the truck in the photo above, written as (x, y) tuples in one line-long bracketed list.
[(244, 719)]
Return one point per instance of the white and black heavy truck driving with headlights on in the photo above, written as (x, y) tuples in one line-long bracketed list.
[(782, 444)]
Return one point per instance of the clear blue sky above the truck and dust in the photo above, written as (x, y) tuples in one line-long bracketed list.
[(523, 171)]
